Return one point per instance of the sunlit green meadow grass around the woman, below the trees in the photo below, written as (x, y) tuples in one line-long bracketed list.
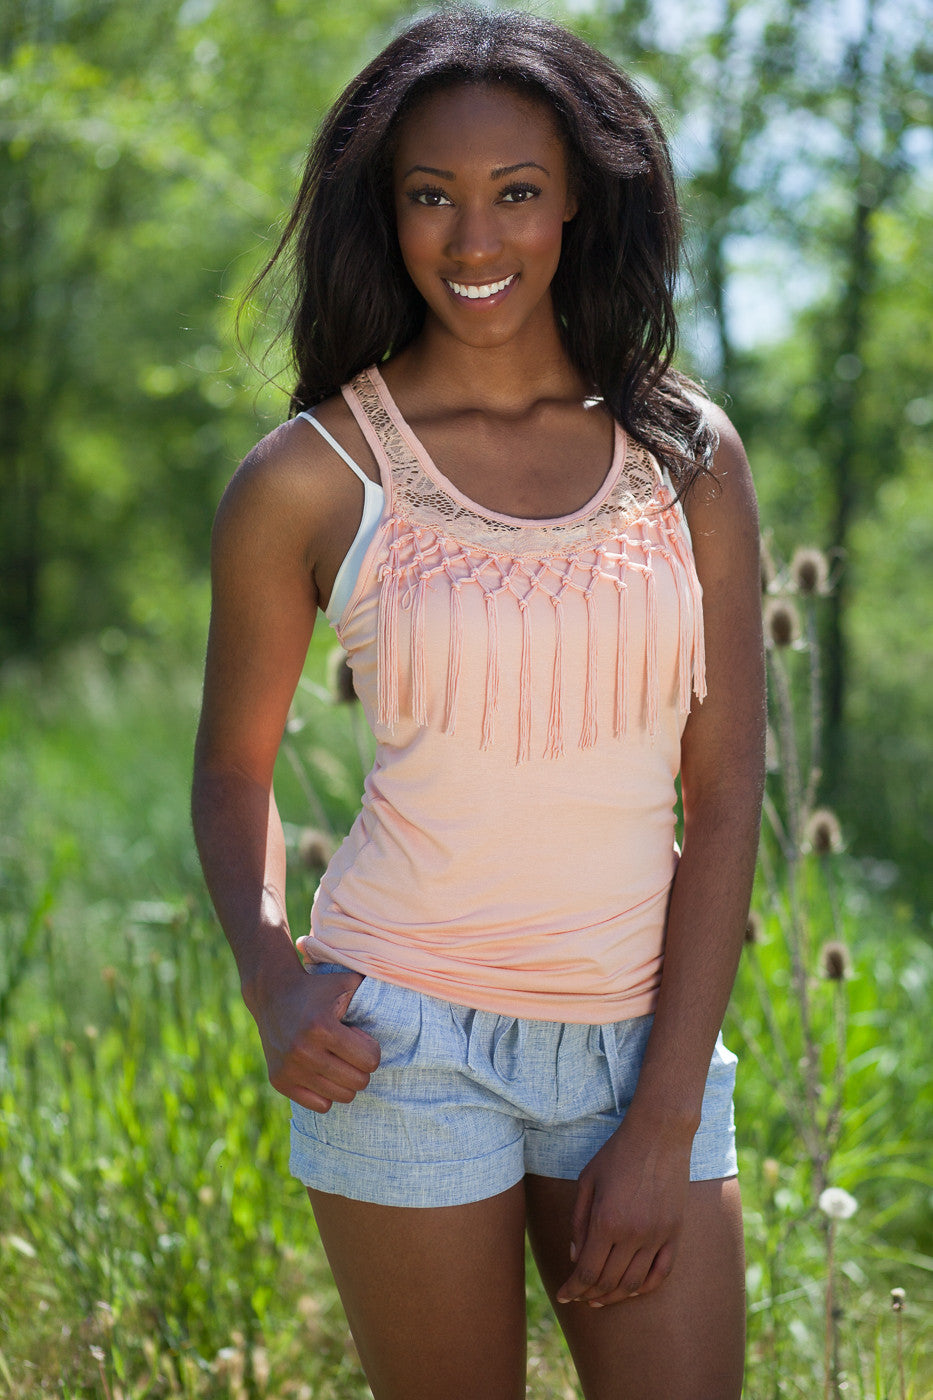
[(152, 1242)]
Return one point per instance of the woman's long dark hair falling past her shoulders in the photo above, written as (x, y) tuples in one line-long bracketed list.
[(614, 289)]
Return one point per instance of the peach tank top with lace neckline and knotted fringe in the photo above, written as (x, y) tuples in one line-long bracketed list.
[(527, 682)]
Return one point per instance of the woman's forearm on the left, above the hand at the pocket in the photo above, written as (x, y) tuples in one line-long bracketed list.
[(243, 856)]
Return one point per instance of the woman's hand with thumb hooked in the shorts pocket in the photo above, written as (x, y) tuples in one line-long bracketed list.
[(313, 1058)]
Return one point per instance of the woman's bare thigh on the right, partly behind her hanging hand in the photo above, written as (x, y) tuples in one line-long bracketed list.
[(684, 1342)]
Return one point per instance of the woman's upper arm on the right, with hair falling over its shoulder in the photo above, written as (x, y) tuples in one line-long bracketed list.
[(725, 737)]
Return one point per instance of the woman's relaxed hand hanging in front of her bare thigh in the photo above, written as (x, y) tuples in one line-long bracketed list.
[(628, 1216)]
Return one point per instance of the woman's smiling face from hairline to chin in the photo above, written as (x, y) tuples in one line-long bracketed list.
[(481, 199)]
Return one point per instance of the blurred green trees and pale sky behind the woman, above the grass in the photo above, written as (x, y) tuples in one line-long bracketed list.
[(146, 159)]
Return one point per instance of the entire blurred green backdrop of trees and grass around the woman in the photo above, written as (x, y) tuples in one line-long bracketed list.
[(148, 155)]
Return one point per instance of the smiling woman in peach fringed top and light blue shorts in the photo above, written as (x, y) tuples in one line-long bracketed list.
[(508, 503)]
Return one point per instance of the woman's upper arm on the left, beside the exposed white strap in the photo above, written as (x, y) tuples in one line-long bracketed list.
[(264, 604)]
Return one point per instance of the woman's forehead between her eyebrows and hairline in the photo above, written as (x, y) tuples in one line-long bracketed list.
[(469, 124)]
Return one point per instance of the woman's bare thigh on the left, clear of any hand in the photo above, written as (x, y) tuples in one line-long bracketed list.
[(435, 1298)]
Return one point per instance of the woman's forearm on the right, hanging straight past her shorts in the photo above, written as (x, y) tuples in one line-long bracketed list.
[(705, 930)]
